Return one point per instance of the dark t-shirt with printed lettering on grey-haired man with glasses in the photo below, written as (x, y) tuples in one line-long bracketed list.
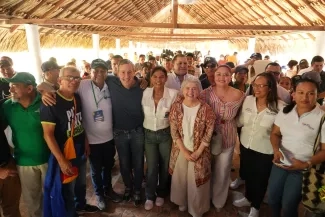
[(61, 115)]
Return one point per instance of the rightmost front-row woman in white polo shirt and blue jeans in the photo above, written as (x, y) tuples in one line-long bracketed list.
[(292, 137)]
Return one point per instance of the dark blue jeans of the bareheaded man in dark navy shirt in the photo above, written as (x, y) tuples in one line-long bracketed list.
[(130, 148)]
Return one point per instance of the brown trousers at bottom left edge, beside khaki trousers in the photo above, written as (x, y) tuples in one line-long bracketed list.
[(10, 191)]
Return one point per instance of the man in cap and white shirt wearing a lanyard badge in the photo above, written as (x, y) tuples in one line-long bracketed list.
[(98, 124)]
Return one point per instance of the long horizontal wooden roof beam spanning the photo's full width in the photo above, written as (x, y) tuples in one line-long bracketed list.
[(78, 22)]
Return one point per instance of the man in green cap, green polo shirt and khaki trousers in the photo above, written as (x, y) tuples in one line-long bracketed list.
[(22, 114)]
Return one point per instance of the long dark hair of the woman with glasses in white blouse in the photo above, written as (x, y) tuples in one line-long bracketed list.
[(272, 96)]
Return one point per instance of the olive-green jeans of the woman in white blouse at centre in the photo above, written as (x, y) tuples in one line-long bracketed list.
[(157, 149)]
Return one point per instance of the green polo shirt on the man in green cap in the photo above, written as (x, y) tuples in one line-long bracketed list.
[(27, 132)]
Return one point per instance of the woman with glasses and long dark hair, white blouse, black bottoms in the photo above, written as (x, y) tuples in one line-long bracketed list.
[(256, 119)]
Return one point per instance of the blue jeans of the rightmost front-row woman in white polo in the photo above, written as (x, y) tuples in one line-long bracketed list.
[(284, 192)]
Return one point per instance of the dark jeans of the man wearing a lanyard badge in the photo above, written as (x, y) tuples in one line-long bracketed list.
[(101, 160)]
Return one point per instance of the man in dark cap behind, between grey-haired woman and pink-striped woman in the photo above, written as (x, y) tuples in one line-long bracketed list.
[(209, 67)]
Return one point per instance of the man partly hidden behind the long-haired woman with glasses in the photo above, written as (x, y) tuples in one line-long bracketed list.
[(275, 69)]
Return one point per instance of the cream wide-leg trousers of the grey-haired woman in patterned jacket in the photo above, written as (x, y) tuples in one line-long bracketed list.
[(184, 191)]
